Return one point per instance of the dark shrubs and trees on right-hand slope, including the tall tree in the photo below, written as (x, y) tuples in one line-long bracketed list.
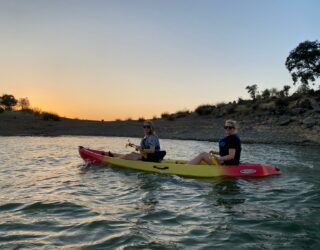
[(303, 63)]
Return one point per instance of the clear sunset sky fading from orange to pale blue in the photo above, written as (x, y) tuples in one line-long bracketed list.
[(123, 59)]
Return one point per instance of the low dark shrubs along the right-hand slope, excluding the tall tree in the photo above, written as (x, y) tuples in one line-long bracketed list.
[(262, 105)]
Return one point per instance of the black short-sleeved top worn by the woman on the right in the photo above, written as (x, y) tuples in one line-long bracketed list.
[(230, 141)]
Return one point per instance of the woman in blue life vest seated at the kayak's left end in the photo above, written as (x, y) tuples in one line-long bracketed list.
[(149, 149)]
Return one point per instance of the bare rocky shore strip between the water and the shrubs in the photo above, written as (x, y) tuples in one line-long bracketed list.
[(300, 129)]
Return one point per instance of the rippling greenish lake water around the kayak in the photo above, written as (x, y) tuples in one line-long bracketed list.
[(49, 200)]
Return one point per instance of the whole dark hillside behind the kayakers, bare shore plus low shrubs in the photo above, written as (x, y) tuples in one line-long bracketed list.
[(293, 120)]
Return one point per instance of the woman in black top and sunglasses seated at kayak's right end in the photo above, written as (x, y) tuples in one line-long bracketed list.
[(229, 148)]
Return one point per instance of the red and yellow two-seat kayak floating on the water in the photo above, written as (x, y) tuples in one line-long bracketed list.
[(171, 167)]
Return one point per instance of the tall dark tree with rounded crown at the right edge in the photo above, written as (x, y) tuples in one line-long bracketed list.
[(303, 62)]
